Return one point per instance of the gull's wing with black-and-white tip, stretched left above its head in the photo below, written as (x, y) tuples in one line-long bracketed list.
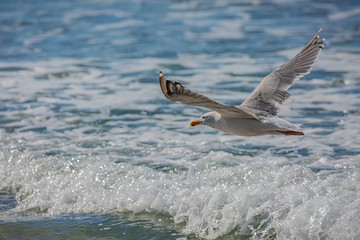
[(176, 92)]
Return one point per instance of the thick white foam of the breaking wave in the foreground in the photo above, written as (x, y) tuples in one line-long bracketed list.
[(254, 193)]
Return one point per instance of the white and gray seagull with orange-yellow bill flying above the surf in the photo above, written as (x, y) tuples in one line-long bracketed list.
[(257, 115)]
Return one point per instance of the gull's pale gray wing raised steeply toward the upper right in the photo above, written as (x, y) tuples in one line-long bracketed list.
[(273, 88)]
